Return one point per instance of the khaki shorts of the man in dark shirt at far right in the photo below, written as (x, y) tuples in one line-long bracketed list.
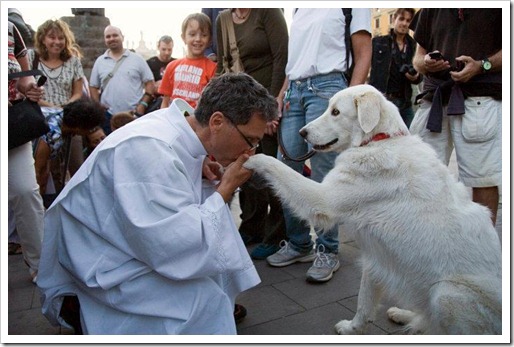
[(476, 136)]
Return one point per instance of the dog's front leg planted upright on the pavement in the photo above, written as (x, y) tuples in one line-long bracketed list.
[(366, 303)]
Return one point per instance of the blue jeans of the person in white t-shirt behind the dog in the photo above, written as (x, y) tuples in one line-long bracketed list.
[(305, 101)]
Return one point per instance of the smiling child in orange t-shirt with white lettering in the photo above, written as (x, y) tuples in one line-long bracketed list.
[(185, 78)]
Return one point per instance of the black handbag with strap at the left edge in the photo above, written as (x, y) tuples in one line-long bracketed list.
[(26, 121)]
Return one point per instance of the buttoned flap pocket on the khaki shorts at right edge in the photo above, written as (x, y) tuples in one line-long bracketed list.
[(480, 122)]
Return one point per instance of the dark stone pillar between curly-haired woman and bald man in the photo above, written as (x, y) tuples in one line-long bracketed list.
[(88, 27)]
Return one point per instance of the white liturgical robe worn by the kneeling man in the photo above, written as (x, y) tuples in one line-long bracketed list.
[(146, 245)]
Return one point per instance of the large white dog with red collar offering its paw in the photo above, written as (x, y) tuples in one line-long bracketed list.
[(424, 243)]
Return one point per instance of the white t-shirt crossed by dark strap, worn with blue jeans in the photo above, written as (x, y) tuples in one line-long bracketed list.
[(316, 40)]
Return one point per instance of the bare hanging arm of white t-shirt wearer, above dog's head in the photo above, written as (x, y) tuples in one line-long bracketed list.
[(362, 51)]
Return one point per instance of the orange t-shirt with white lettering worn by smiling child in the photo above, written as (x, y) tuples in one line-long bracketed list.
[(185, 78)]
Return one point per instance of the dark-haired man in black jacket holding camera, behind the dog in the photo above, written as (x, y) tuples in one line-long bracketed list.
[(393, 53)]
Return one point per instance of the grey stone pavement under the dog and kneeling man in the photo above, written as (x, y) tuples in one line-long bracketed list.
[(282, 304)]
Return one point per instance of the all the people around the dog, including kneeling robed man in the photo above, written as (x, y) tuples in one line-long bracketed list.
[(143, 158)]
